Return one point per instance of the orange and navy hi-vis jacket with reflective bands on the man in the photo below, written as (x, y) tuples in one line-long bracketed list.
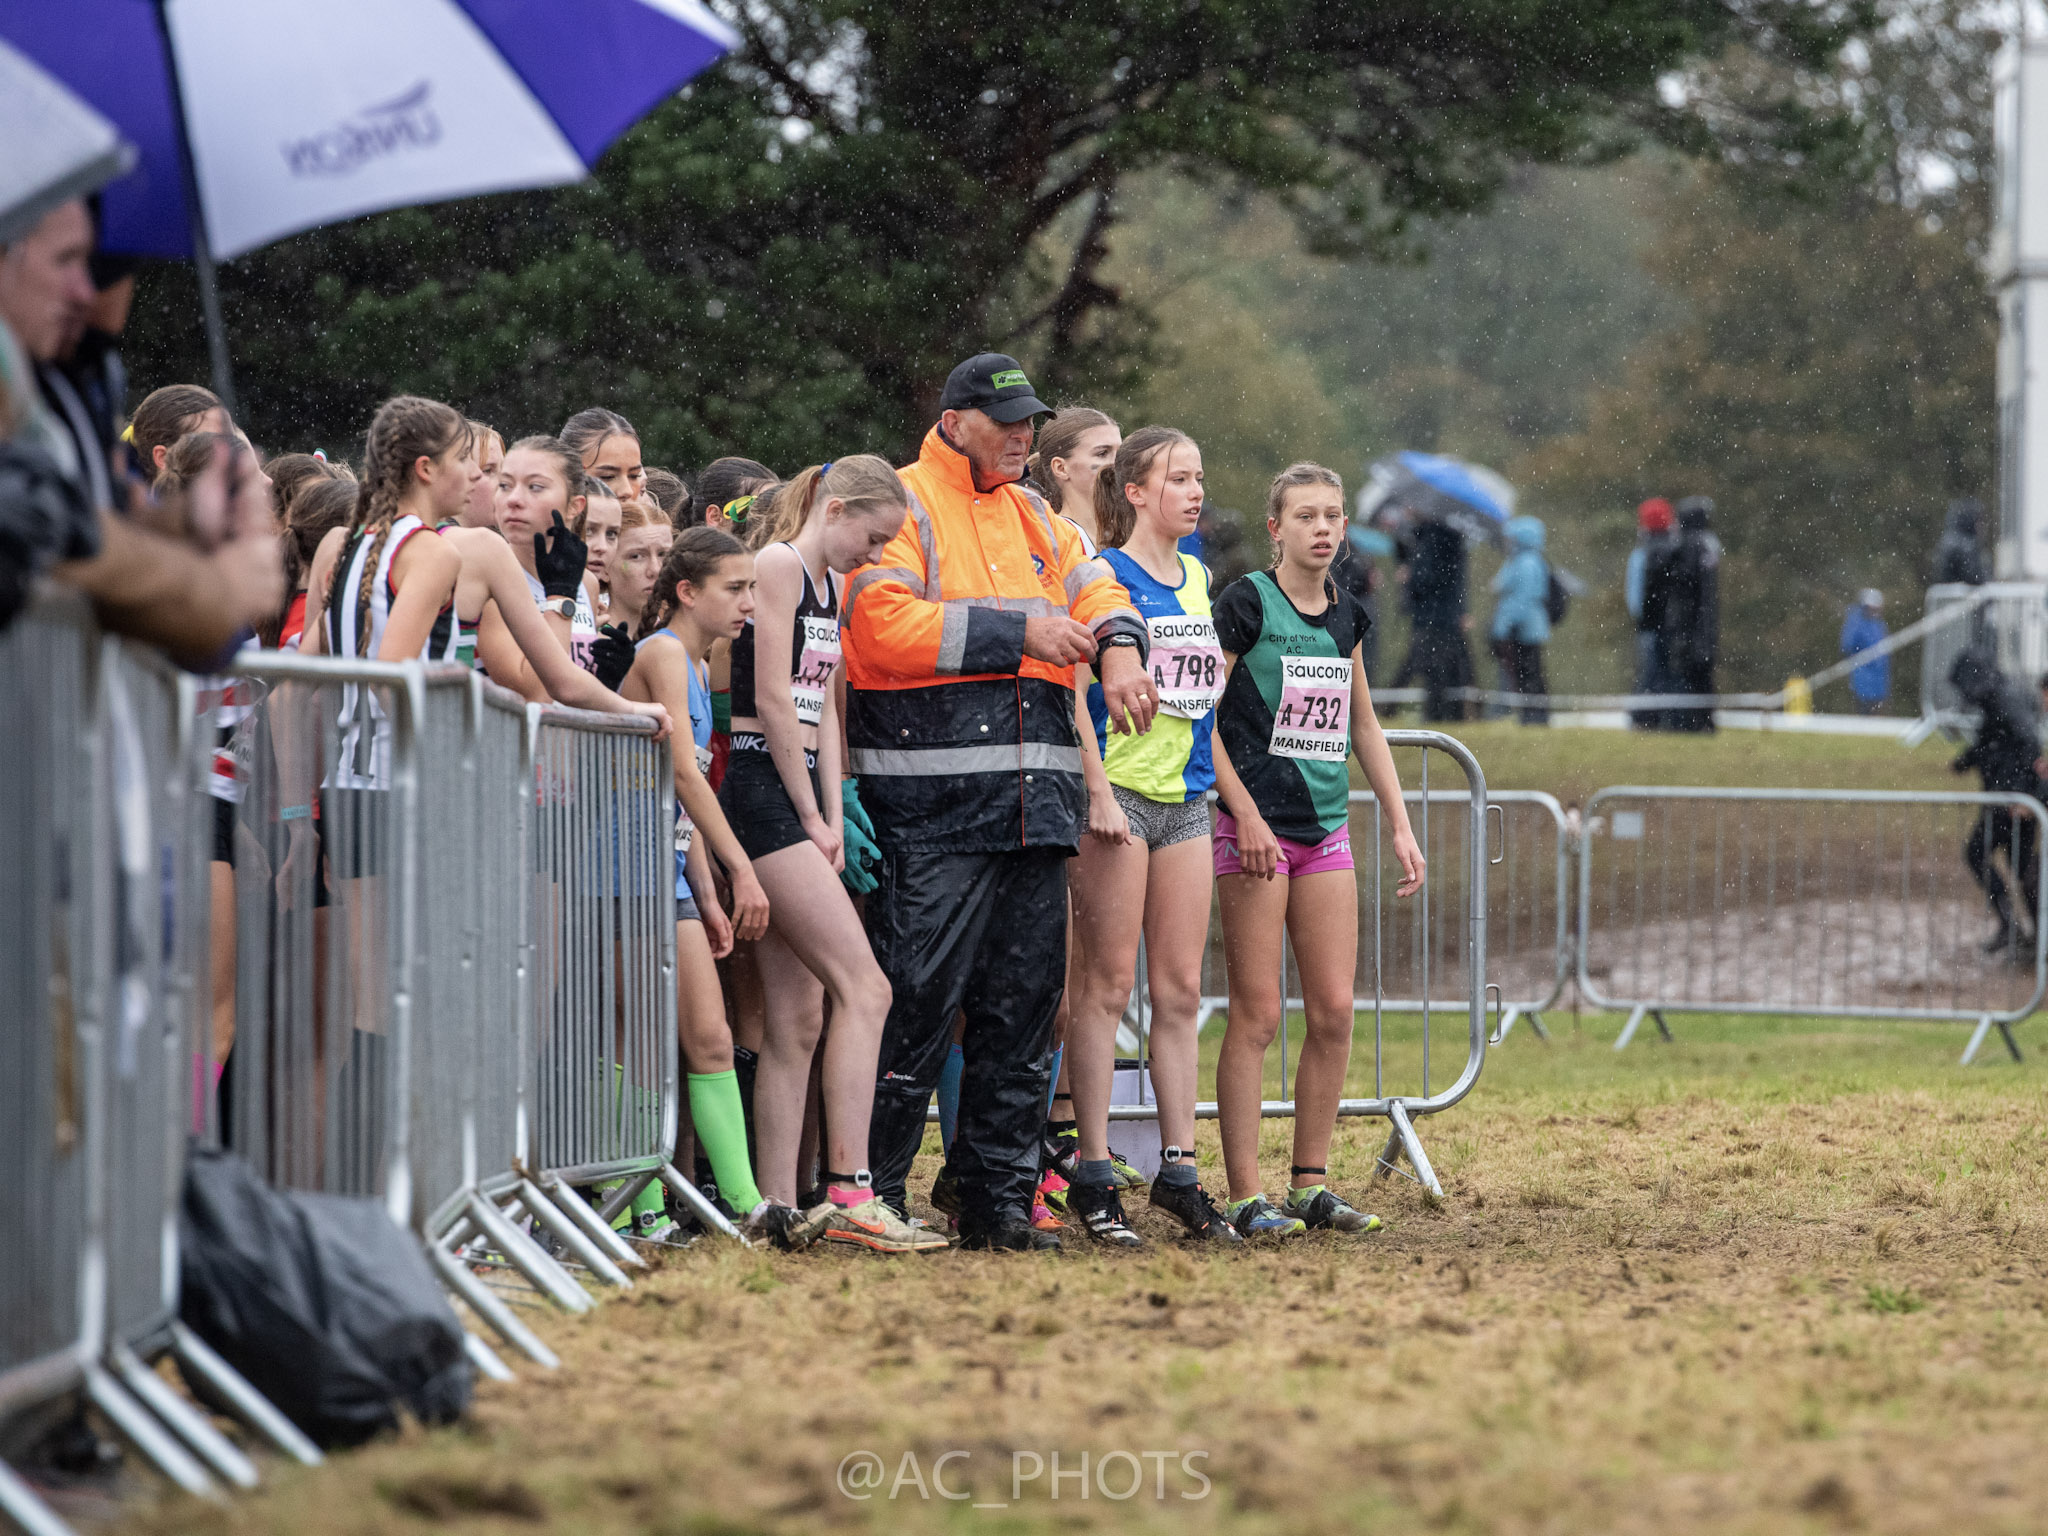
[(962, 740)]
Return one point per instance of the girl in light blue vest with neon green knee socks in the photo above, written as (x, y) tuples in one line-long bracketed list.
[(706, 593)]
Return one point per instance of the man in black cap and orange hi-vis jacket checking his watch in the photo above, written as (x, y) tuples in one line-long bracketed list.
[(962, 644)]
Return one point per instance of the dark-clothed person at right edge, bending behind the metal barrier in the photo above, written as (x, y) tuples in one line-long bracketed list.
[(2004, 755)]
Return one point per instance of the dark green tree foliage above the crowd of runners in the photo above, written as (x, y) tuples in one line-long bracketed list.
[(792, 255)]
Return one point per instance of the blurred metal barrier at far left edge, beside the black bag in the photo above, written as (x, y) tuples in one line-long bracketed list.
[(103, 951)]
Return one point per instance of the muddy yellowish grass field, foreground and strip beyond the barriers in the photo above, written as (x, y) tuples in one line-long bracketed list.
[(1781, 1277)]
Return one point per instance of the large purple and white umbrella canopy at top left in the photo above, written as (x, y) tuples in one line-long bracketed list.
[(308, 112)]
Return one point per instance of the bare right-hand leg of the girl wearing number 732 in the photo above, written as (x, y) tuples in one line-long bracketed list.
[(1322, 916)]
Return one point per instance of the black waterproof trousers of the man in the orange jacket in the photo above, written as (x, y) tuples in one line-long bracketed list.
[(984, 935)]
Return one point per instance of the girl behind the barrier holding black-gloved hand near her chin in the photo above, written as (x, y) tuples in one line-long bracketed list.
[(544, 515)]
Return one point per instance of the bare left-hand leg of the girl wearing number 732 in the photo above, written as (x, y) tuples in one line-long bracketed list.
[(1254, 927)]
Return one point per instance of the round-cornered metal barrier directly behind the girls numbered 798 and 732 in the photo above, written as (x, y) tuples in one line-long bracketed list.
[(1443, 931)]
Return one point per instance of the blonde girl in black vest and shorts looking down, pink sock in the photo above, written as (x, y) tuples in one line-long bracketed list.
[(830, 521)]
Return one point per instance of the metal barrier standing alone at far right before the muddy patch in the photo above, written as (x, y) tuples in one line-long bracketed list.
[(1809, 902)]
